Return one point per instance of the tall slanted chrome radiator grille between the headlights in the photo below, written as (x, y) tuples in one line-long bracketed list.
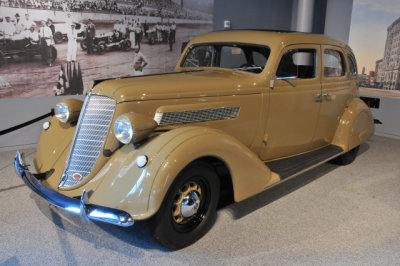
[(94, 123)]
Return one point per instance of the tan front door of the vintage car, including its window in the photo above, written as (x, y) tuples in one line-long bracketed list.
[(294, 103)]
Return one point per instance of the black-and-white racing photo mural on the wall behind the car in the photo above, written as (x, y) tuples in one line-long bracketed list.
[(59, 47)]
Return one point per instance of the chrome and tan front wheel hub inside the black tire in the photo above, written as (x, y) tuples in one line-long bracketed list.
[(187, 203)]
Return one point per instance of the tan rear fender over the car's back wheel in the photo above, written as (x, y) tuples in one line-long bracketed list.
[(356, 125)]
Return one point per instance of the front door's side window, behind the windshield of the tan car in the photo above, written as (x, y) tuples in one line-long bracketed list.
[(297, 63)]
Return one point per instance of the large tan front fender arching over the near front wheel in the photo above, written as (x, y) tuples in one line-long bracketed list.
[(140, 191)]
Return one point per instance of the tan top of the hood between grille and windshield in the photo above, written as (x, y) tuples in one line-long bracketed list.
[(189, 84)]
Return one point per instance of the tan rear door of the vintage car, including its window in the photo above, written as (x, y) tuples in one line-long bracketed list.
[(336, 91)]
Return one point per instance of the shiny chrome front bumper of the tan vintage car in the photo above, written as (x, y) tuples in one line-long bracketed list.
[(82, 207)]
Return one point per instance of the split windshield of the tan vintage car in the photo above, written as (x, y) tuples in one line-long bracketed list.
[(244, 57)]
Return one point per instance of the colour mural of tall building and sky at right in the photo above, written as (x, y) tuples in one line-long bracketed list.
[(375, 39)]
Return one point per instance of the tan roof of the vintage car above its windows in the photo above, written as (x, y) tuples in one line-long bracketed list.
[(267, 37)]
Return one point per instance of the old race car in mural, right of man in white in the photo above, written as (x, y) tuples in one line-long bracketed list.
[(114, 40)]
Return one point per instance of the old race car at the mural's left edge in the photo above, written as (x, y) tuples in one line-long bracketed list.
[(24, 47)]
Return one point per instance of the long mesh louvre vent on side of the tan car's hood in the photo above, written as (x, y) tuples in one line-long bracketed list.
[(191, 116)]
